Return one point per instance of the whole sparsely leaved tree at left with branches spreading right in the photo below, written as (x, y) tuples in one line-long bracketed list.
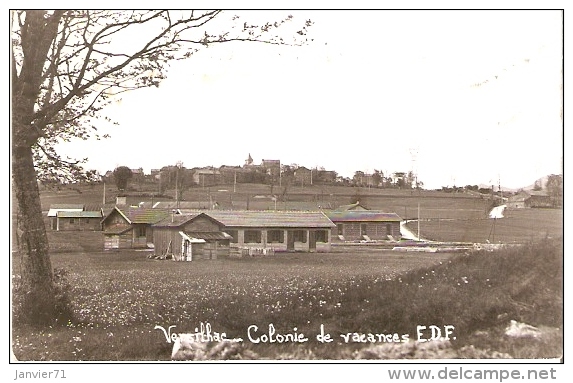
[(66, 67)]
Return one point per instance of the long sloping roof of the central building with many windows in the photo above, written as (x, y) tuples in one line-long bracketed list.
[(259, 218)]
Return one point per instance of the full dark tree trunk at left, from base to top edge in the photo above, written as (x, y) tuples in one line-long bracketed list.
[(35, 301)]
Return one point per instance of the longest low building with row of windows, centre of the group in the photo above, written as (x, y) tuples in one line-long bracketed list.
[(303, 231)]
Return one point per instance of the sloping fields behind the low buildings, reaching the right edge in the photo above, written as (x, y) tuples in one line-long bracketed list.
[(445, 216)]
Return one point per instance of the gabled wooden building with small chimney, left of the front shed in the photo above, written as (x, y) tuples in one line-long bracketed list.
[(131, 227)]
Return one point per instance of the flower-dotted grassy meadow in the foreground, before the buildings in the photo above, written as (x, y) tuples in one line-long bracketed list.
[(118, 299)]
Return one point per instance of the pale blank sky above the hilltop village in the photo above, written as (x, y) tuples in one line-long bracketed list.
[(460, 97)]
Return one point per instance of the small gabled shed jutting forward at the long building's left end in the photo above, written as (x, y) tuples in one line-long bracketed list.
[(190, 237)]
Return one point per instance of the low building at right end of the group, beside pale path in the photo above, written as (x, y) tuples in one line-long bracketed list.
[(365, 225)]
